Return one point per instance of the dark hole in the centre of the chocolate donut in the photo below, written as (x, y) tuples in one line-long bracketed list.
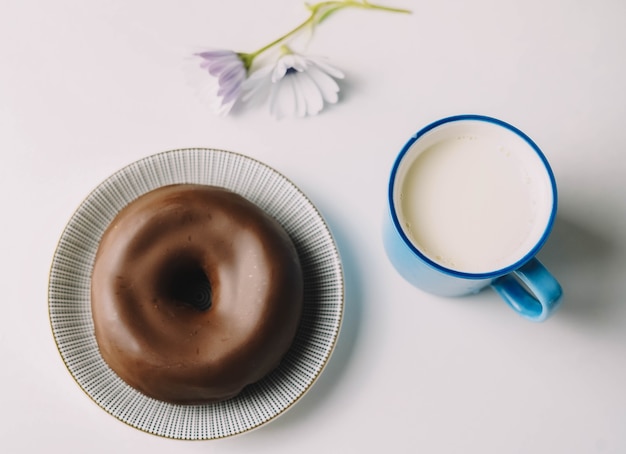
[(185, 282)]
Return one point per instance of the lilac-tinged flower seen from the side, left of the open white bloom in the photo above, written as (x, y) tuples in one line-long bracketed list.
[(227, 71)]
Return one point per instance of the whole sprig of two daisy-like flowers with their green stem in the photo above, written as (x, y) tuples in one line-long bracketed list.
[(296, 85)]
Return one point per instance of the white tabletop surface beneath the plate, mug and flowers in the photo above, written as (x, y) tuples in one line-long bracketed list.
[(88, 87)]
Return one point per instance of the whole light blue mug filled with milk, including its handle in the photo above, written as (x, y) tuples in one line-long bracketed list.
[(471, 200)]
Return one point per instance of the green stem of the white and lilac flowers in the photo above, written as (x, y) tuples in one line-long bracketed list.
[(318, 12)]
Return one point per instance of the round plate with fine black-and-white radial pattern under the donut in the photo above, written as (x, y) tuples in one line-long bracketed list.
[(70, 309)]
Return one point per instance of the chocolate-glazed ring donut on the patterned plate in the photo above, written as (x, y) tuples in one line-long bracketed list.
[(195, 293)]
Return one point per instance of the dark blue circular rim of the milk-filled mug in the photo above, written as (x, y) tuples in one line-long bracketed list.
[(464, 274)]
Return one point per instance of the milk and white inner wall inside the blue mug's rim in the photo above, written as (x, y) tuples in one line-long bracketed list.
[(473, 199)]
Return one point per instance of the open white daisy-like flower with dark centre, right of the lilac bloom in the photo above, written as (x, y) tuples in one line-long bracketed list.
[(296, 85)]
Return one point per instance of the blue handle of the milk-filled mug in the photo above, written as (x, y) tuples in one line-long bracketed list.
[(530, 290)]
